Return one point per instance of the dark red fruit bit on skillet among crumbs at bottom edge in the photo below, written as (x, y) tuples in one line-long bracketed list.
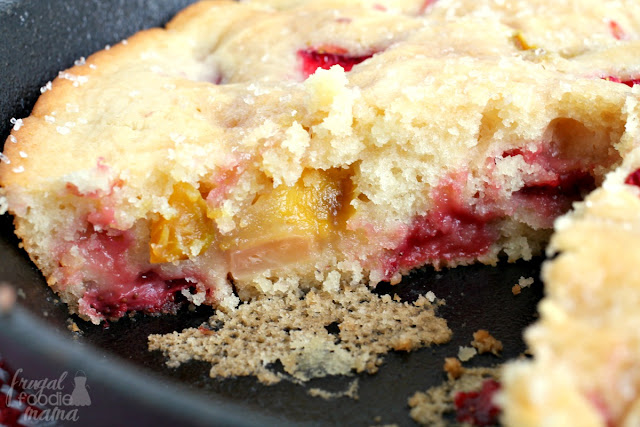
[(477, 407)]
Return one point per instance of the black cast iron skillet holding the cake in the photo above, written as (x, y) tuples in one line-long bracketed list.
[(131, 386)]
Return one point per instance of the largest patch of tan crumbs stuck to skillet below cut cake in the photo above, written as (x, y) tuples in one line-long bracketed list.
[(312, 335)]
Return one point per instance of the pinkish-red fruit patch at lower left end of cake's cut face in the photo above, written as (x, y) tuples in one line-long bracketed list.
[(120, 286)]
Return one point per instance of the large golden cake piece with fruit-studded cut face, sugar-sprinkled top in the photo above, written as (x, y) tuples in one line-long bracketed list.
[(245, 150)]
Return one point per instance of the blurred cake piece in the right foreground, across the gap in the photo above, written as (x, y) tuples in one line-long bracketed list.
[(586, 345)]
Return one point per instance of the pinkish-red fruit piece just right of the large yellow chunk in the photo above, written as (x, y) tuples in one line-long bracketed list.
[(450, 231)]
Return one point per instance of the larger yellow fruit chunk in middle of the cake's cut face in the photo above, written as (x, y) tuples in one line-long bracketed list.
[(288, 223)]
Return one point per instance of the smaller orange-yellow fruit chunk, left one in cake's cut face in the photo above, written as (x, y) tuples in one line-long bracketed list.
[(186, 234)]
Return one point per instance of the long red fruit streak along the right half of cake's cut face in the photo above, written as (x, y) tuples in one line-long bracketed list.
[(458, 230)]
